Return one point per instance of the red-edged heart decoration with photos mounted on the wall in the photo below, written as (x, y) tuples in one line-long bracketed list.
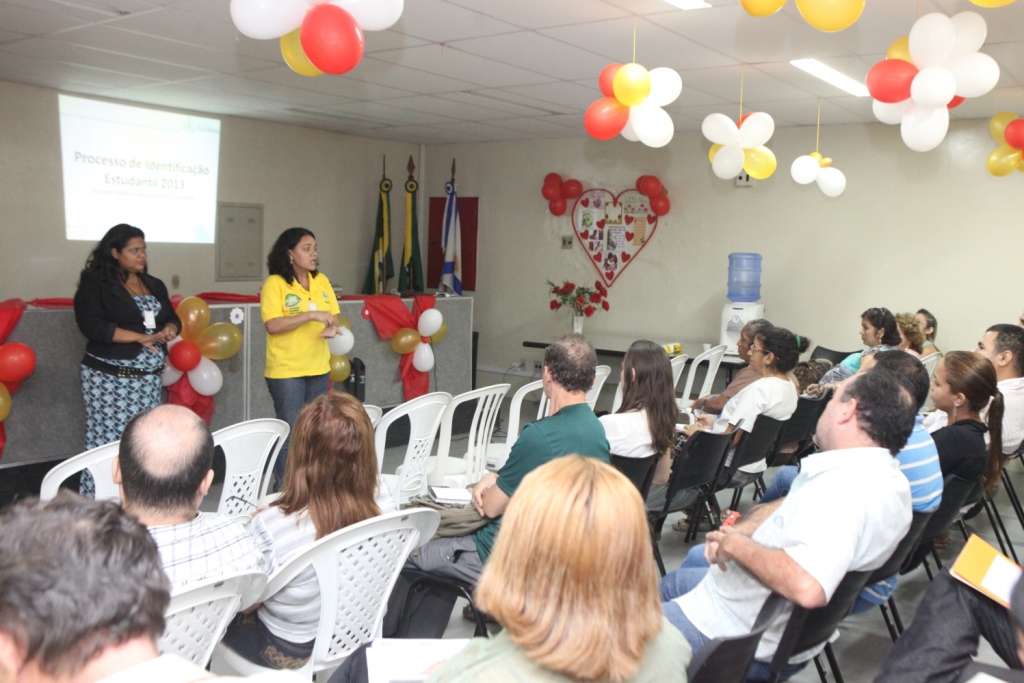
[(613, 229)]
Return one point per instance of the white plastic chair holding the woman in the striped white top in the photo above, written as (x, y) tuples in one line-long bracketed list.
[(357, 569)]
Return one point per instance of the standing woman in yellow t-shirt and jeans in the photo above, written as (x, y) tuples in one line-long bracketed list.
[(298, 309)]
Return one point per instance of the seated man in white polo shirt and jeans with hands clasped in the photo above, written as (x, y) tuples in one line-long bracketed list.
[(847, 511)]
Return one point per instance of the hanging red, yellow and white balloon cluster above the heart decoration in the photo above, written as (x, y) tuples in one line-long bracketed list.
[(632, 105)]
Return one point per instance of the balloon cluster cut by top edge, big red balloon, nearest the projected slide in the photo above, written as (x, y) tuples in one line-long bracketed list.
[(317, 37)]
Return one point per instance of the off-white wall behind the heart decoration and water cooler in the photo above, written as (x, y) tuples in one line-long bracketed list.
[(912, 231)]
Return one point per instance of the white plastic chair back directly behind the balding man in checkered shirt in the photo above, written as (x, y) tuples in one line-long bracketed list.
[(198, 616)]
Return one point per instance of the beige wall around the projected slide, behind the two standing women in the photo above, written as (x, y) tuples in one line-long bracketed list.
[(318, 180)]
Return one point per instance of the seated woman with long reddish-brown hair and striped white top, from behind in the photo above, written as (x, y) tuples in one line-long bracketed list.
[(330, 483)]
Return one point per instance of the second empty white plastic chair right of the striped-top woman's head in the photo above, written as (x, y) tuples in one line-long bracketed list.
[(458, 473)]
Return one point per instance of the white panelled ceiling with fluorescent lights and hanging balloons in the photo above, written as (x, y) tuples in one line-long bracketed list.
[(453, 71)]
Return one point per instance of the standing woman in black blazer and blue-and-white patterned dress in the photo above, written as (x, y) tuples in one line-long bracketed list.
[(129, 319)]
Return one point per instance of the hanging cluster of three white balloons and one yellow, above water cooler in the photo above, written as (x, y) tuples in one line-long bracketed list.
[(741, 148)]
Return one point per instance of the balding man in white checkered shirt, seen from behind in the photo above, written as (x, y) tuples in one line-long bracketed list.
[(164, 472)]
